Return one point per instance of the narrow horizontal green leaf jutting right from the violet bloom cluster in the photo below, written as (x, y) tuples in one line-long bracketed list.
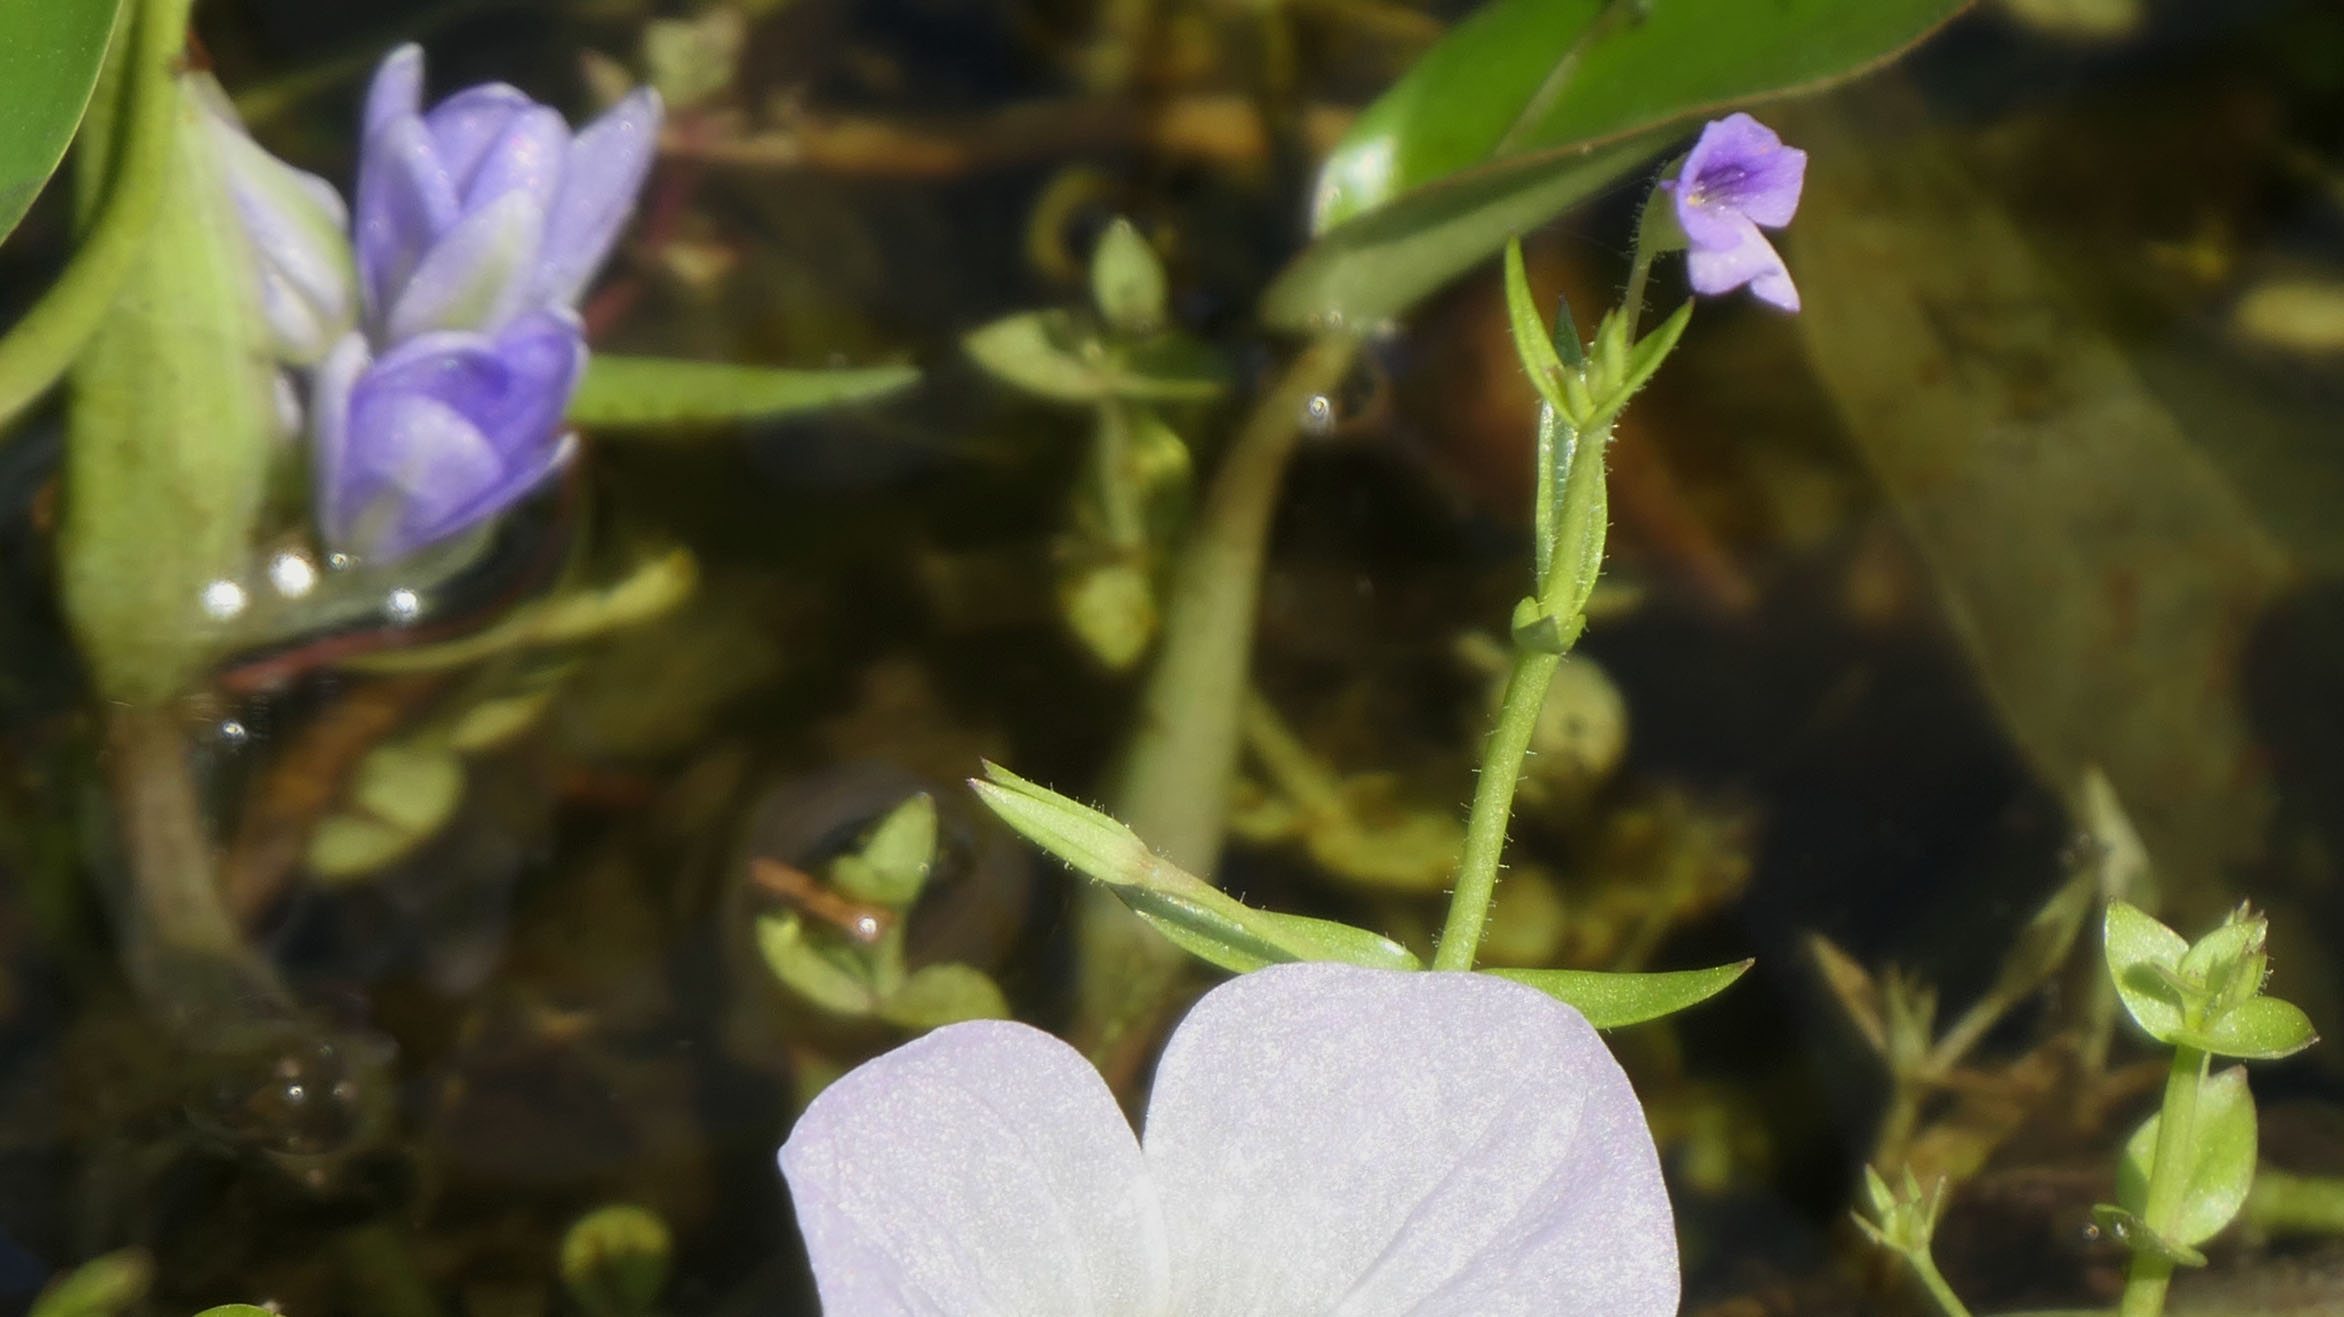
[(622, 393)]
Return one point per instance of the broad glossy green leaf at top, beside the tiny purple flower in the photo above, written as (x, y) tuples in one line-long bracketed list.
[(1532, 107)]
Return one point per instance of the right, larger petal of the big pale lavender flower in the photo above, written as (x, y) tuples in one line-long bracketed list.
[(1382, 1142)]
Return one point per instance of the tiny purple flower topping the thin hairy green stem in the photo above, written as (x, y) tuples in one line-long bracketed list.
[(1738, 179)]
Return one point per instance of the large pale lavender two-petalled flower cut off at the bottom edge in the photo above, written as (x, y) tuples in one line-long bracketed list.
[(1321, 1140)]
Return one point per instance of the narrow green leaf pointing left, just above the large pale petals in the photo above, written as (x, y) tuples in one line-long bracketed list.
[(1185, 908)]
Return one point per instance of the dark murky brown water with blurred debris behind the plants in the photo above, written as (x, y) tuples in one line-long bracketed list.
[(2047, 477)]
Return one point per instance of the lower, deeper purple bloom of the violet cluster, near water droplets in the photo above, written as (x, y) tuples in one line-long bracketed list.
[(442, 432)]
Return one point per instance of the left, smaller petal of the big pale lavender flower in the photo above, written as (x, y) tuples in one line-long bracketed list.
[(981, 1171)]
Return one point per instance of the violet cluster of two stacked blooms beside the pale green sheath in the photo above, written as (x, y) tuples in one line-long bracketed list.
[(477, 228)]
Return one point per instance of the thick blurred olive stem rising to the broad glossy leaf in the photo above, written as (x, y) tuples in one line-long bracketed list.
[(1183, 760)]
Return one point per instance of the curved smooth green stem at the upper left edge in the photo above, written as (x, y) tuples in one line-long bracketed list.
[(53, 334)]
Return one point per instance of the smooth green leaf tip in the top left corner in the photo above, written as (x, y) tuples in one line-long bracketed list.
[(50, 57)]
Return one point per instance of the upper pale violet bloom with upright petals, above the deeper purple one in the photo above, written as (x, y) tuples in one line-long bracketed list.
[(486, 205)]
